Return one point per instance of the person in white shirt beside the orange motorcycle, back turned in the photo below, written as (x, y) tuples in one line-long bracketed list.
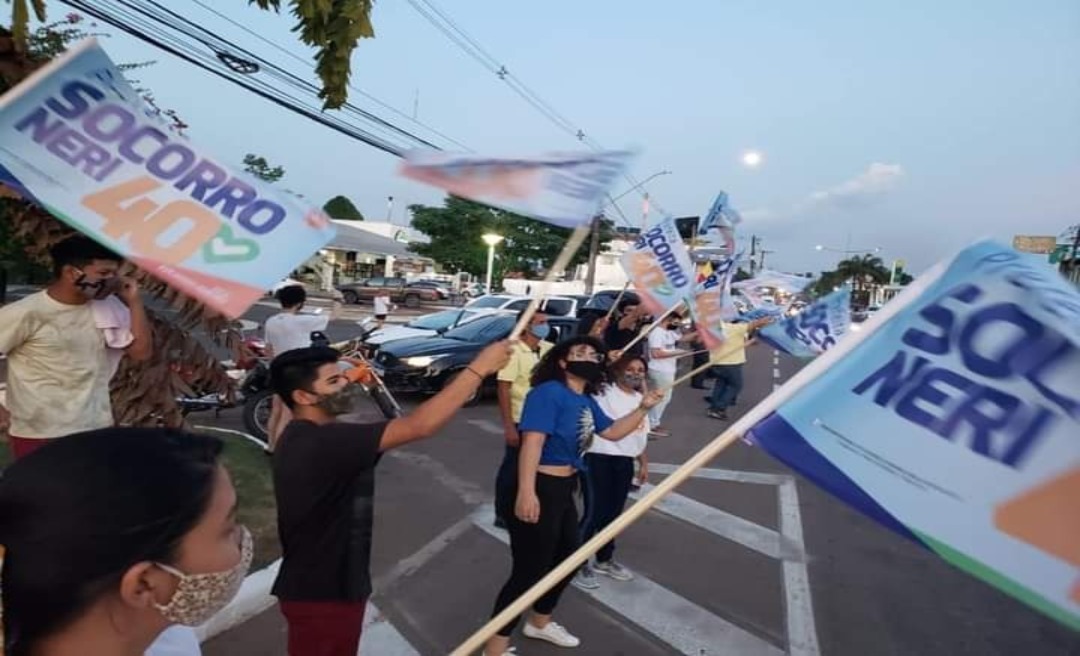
[(287, 331)]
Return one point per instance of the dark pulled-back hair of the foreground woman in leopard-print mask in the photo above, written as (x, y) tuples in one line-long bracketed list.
[(77, 514)]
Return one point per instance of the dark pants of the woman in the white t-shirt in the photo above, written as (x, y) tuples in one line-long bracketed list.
[(607, 481)]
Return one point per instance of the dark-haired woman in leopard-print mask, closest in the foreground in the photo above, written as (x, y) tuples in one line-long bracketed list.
[(113, 535)]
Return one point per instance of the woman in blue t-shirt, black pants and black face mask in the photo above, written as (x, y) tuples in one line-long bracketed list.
[(558, 426)]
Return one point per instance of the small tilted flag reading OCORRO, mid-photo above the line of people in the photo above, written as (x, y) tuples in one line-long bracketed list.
[(659, 266)]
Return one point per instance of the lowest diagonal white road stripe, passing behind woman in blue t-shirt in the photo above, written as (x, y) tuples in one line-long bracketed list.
[(685, 626)]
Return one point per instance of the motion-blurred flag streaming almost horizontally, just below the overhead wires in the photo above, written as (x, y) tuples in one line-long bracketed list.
[(563, 190)]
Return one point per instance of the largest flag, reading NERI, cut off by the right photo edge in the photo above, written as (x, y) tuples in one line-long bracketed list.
[(954, 419)]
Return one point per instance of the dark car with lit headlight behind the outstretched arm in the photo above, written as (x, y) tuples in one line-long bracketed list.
[(426, 365)]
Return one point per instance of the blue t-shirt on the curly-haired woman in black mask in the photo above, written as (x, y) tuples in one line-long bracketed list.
[(570, 421)]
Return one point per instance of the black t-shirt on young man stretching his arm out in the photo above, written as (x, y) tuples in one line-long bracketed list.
[(325, 484)]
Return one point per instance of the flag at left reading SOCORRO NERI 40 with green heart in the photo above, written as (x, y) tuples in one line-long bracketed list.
[(77, 140)]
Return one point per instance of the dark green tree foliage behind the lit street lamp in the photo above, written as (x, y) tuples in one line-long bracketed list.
[(455, 230)]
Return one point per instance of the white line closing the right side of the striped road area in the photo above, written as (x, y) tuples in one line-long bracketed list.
[(799, 608)]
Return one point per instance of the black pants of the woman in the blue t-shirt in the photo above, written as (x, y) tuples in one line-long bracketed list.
[(539, 548)]
